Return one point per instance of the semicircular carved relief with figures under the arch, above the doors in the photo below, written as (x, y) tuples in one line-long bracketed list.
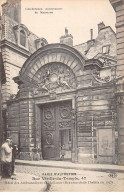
[(54, 77)]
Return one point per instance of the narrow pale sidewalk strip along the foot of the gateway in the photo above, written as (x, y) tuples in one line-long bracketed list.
[(70, 165)]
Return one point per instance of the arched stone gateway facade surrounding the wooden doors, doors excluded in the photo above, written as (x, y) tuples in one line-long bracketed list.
[(92, 98)]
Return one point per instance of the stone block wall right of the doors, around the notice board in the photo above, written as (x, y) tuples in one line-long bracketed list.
[(95, 110)]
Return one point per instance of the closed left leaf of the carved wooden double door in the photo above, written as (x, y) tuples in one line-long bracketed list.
[(50, 135)]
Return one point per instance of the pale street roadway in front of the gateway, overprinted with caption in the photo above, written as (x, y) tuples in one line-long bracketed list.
[(75, 180)]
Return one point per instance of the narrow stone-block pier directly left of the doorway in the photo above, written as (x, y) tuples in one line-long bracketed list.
[(27, 138)]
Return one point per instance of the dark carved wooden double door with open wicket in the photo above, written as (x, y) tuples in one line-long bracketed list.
[(56, 129)]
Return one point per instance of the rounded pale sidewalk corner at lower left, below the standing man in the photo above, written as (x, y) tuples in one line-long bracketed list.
[(22, 182)]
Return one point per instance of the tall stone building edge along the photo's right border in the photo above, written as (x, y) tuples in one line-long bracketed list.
[(118, 6)]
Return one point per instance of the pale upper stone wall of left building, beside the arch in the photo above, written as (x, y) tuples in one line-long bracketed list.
[(13, 62)]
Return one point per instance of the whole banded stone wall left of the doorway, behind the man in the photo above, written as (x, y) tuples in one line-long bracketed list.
[(21, 120)]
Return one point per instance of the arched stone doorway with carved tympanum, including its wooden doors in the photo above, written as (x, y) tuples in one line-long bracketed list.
[(50, 76)]
